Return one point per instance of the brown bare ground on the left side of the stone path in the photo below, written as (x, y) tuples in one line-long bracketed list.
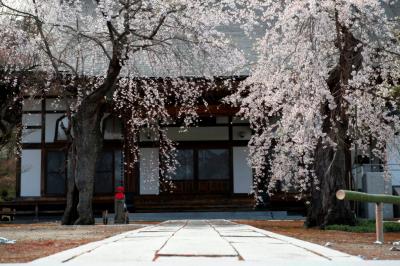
[(34, 241)]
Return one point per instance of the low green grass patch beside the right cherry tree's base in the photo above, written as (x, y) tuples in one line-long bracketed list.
[(365, 226)]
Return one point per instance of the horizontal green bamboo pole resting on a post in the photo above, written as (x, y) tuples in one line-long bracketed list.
[(365, 197)]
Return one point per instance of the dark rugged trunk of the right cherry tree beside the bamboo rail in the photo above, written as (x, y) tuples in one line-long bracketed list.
[(333, 165)]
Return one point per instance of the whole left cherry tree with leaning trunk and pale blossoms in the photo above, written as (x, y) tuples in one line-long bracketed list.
[(86, 49)]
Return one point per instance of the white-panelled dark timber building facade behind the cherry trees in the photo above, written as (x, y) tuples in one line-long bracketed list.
[(212, 173)]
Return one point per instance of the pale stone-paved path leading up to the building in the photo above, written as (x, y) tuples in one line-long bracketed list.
[(214, 242)]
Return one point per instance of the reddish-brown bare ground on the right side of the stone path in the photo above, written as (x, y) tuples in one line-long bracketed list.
[(351, 243)]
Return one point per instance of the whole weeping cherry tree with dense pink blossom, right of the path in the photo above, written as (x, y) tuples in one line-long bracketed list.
[(321, 88)]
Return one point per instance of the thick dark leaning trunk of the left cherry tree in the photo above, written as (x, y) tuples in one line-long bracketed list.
[(87, 145)]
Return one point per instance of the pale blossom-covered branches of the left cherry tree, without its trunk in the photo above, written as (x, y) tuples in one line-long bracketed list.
[(108, 42)]
